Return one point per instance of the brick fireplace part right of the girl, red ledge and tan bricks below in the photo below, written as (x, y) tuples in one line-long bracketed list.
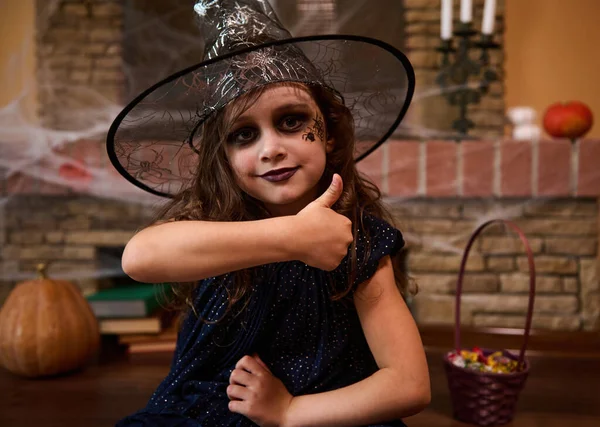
[(441, 191)]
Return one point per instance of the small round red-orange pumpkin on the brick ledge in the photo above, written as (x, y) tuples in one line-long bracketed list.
[(569, 120)]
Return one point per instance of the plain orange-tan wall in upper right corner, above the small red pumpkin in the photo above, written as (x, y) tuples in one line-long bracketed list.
[(553, 54)]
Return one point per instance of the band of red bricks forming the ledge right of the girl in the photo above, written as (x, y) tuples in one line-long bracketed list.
[(486, 168)]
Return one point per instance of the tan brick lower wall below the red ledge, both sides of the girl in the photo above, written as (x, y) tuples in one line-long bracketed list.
[(563, 234)]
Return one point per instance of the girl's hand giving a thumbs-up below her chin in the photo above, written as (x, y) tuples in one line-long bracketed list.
[(321, 235)]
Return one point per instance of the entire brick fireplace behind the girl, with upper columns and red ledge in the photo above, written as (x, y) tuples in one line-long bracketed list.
[(439, 190)]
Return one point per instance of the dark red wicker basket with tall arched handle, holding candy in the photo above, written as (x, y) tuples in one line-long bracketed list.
[(486, 398)]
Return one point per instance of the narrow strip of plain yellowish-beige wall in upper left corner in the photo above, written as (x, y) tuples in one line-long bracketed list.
[(17, 53)]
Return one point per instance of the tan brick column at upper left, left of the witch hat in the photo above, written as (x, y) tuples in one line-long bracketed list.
[(79, 45)]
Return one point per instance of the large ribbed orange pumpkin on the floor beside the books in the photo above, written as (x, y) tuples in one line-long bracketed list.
[(46, 328)]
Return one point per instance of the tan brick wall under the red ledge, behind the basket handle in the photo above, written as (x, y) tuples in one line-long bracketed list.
[(562, 233)]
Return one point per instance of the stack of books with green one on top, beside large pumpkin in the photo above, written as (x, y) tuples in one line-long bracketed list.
[(136, 314)]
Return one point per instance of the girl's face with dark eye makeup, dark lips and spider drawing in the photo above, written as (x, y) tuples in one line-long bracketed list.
[(277, 149)]
